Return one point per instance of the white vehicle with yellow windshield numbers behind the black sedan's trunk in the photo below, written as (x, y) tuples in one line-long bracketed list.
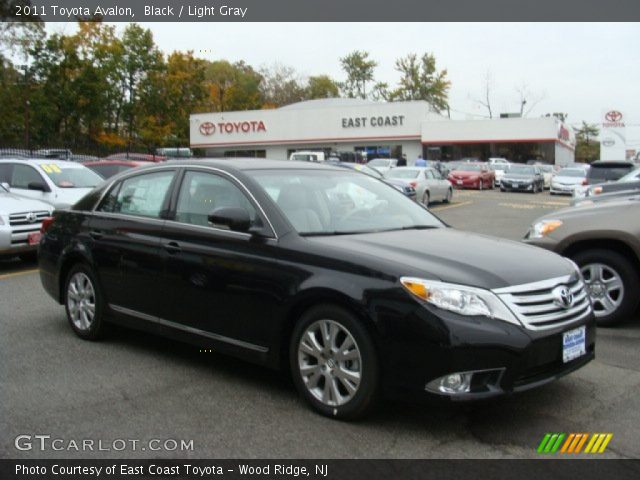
[(56, 182)]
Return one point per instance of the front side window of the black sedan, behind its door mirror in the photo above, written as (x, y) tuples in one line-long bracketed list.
[(202, 192)]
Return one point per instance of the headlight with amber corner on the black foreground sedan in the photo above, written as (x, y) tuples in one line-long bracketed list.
[(459, 299)]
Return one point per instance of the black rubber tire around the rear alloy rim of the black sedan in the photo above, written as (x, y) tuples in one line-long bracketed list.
[(96, 327)]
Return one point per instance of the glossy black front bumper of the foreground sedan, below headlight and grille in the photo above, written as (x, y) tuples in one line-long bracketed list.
[(431, 343)]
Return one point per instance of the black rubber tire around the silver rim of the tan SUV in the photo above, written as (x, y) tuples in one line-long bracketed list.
[(627, 273)]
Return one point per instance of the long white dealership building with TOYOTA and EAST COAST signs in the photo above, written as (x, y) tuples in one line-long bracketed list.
[(378, 129)]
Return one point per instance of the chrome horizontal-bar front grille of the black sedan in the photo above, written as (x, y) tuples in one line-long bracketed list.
[(538, 306)]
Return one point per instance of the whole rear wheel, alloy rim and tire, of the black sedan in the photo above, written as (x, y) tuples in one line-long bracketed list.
[(83, 303)]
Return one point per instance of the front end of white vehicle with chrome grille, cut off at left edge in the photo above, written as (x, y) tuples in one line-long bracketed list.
[(20, 220)]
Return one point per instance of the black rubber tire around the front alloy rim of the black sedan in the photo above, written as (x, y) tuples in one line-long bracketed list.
[(365, 396)]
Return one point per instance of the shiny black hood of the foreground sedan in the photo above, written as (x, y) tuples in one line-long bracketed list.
[(447, 255)]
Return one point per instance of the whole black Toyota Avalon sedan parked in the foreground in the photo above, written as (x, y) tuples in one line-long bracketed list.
[(335, 275)]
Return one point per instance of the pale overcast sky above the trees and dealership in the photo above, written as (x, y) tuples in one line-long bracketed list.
[(582, 69)]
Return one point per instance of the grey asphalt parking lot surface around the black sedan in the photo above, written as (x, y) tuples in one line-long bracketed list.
[(136, 386)]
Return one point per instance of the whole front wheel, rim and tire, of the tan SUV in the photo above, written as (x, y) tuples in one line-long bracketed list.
[(612, 284)]
